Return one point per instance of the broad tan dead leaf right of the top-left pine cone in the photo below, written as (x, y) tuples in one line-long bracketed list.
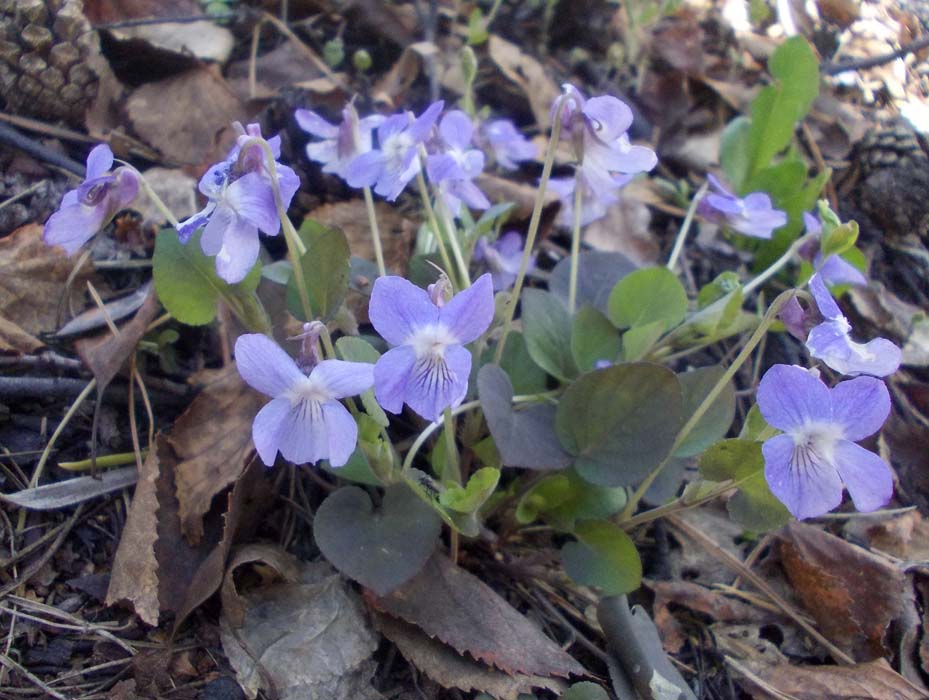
[(187, 117)]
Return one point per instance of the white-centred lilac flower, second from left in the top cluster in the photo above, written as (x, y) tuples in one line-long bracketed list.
[(391, 167)]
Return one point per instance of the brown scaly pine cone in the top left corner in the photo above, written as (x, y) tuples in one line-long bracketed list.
[(47, 49)]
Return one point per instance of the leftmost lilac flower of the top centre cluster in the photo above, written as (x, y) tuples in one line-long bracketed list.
[(340, 144)]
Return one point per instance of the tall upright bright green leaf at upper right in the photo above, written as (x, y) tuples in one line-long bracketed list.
[(779, 107)]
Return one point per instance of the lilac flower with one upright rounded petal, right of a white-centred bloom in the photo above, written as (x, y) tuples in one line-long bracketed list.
[(455, 166)]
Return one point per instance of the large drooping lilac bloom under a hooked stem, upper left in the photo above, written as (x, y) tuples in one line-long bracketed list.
[(241, 202)]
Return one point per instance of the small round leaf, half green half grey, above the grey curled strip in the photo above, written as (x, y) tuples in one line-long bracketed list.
[(604, 557)]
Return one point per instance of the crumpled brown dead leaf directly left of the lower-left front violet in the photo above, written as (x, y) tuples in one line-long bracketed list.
[(212, 441)]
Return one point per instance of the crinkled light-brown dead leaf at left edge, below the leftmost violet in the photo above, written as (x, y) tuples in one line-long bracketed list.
[(33, 278)]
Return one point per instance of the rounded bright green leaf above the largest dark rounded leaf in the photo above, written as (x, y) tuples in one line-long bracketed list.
[(648, 295)]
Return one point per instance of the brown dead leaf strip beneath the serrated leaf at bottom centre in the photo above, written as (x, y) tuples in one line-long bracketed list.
[(452, 670)]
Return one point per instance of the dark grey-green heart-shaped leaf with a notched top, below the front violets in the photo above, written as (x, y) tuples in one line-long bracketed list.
[(382, 548)]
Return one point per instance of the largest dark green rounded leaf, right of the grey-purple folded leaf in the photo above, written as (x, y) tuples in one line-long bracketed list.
[(619, 422)]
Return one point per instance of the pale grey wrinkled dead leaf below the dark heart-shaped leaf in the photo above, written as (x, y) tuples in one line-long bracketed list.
[(307, 639)]
